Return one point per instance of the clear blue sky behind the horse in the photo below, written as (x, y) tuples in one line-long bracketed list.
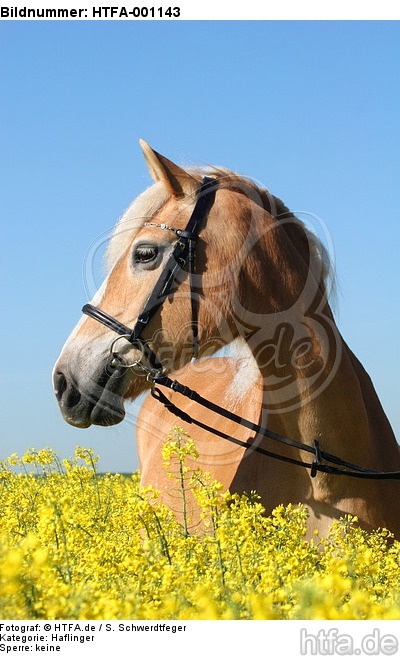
[(311, 109)]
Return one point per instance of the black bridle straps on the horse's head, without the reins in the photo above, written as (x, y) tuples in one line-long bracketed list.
[(183, 253)]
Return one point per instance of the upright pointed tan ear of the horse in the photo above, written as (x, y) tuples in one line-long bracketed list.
[(176, 179)]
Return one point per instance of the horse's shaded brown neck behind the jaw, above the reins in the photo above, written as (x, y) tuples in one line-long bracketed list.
[(314, 387)]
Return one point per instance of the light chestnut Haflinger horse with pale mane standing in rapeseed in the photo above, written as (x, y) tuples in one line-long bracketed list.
[(258, 279)]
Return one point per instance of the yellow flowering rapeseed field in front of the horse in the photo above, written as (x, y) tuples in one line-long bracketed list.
[(78, 545)]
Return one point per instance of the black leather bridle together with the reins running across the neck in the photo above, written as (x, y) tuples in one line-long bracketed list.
[(183, 254)]
